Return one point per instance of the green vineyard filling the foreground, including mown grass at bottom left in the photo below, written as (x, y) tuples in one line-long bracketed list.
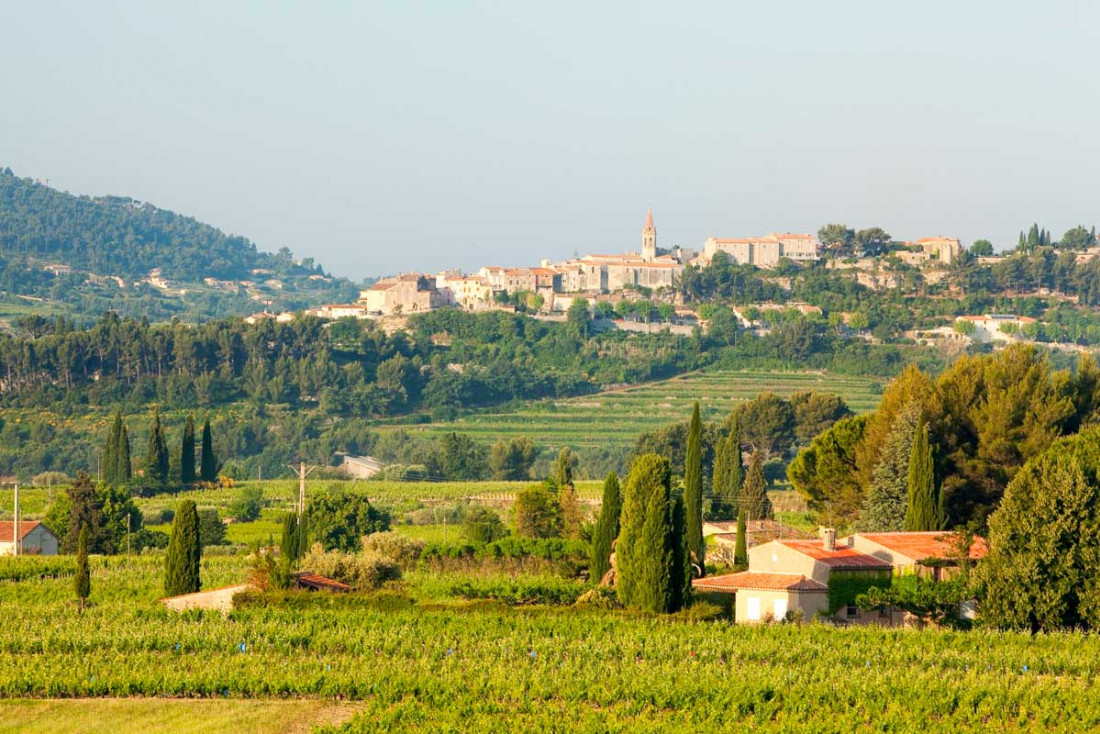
[(413, 660)]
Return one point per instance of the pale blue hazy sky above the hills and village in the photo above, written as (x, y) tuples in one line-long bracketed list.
[(384, 138)]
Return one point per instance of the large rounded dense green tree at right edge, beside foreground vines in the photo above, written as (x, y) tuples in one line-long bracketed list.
[(1044, 543)]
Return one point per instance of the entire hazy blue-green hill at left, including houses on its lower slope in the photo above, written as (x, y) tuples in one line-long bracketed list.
[(84, 256)]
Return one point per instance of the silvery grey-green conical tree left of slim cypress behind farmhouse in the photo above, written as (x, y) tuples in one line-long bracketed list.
[(887, 500)]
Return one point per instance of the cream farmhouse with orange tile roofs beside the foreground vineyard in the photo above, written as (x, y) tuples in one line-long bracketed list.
[(794, 577)]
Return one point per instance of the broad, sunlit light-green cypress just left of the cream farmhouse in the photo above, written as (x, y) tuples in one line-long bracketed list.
[(644, 555)]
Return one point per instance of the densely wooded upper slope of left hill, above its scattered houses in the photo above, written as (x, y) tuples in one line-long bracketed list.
[(119, 236)]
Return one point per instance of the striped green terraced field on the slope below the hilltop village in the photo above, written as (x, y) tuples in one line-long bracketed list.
[(615, 419)]
